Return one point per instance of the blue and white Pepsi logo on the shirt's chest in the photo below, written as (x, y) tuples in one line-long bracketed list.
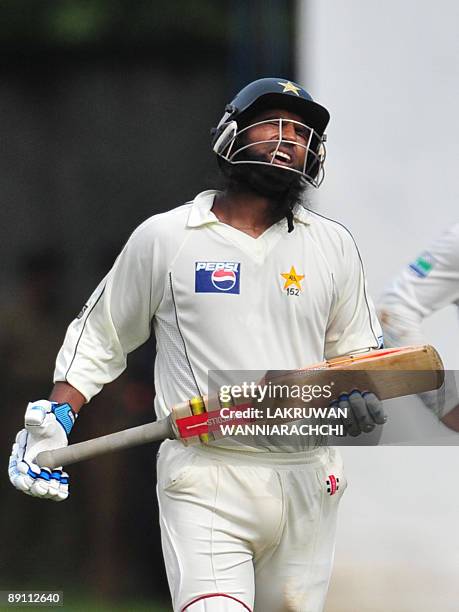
[(217, 276)]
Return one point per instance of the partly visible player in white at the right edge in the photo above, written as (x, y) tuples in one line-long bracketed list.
[(426, 285)]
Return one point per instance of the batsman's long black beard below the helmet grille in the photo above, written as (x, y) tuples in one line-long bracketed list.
[(283, 189)]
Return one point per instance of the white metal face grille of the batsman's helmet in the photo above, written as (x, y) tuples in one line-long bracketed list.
[(283, 149)]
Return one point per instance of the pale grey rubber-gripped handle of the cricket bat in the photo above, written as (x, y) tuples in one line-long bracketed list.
[(159, 430)]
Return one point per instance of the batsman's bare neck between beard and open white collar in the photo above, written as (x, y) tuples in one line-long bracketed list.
[(248, 212)]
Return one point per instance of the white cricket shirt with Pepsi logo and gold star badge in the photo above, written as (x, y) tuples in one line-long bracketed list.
[(220, 299)]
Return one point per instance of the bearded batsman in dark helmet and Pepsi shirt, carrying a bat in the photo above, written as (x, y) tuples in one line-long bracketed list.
[(240, 279)]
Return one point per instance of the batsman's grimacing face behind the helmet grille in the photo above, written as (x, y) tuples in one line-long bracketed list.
[(280, 143)]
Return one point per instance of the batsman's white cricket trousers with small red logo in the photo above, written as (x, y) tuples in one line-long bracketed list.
[(258, 528)]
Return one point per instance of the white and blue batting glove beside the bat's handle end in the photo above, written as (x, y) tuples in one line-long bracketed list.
[(47, 426)]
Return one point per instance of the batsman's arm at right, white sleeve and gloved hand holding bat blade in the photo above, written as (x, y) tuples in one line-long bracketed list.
[(353, 327)]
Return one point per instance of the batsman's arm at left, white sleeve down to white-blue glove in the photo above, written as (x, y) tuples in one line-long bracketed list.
[(115, 321)]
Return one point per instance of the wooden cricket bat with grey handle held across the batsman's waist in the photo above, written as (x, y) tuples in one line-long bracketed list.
[(388, 373)]
